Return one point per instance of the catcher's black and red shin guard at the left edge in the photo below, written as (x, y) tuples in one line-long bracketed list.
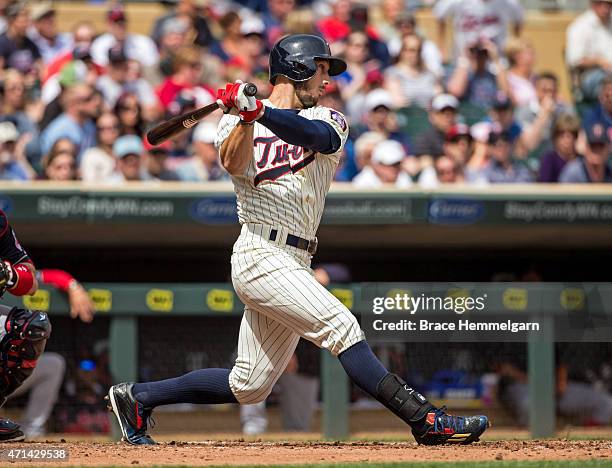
[(24, 334)]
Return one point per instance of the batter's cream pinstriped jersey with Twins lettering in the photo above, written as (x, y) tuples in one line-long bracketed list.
[(285, 185)]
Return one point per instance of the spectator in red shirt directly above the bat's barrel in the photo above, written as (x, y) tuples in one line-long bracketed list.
[(187, 67)]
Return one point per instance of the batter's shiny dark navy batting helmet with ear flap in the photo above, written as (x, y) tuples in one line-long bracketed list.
[(294, 57)]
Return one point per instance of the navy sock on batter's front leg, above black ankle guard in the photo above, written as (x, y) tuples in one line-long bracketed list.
[(363, 367)]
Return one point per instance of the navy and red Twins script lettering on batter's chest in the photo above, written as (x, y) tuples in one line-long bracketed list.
[(275, 158)]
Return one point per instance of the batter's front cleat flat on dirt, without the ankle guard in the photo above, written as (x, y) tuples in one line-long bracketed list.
[(442, 428)]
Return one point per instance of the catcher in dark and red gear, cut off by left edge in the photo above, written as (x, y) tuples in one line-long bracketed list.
[(23, 333)]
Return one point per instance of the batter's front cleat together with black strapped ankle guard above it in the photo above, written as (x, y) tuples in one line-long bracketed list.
[(430, 426)]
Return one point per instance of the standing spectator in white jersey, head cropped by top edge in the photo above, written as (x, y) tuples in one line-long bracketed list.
[(476, 19)]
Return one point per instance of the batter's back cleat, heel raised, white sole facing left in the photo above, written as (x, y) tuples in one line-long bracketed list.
[(131, 414)]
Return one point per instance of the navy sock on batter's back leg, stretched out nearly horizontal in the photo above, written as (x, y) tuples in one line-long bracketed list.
[(203, 386)]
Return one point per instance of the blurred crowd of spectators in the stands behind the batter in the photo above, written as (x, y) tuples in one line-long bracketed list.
[(76, 104)]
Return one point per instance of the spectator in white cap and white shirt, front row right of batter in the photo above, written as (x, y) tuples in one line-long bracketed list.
[(384, 168)]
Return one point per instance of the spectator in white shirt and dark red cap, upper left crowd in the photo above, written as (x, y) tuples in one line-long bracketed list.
[(136, 46)]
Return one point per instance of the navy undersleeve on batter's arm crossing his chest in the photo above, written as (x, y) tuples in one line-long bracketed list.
[(297, 130)]
